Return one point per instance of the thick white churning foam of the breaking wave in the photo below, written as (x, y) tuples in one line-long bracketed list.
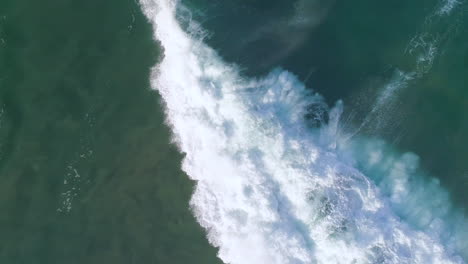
[(271, 190)]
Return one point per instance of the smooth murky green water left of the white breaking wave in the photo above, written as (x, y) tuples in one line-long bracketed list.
[(87, 171)]
